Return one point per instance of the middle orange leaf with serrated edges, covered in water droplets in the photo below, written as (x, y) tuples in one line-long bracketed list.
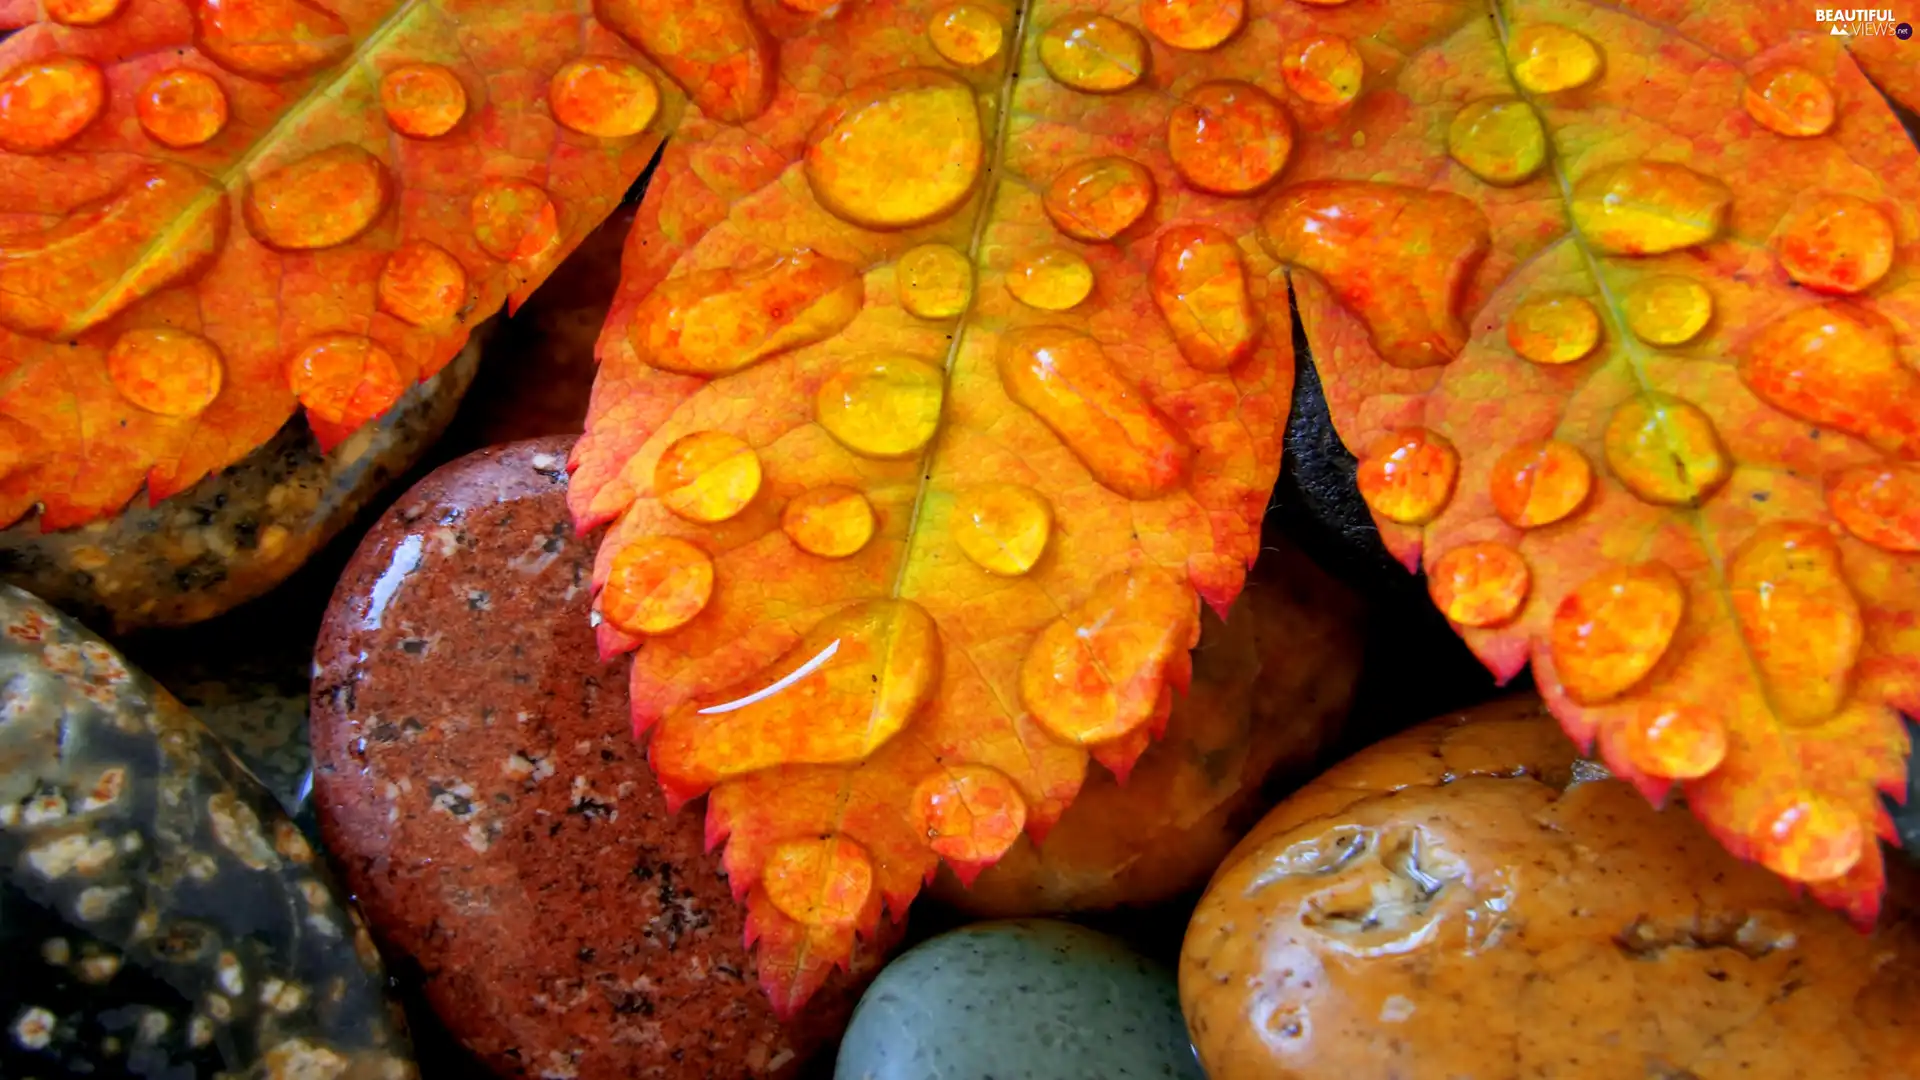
[(932, 406)]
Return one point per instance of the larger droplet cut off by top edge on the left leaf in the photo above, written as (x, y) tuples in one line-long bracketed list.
[(270, 39)]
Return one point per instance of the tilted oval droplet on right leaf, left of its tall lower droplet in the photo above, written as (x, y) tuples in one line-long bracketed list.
[(1612, 629)]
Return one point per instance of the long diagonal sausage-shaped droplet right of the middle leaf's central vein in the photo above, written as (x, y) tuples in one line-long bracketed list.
[(1067, 380)]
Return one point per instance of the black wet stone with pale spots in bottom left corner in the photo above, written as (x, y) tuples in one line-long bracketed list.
[(160, 918)]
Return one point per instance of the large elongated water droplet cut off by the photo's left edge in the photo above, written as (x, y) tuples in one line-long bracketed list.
[(164, 226)]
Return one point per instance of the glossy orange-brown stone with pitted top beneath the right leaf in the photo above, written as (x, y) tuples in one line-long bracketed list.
[(1470, 900)]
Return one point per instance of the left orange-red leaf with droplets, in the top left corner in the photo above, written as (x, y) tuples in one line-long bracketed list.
[(218, 210)]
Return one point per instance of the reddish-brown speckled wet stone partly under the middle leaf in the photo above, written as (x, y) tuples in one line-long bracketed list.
[(479, 785)]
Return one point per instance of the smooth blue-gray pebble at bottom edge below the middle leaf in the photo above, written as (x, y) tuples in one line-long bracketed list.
[(1019, 1000)]
